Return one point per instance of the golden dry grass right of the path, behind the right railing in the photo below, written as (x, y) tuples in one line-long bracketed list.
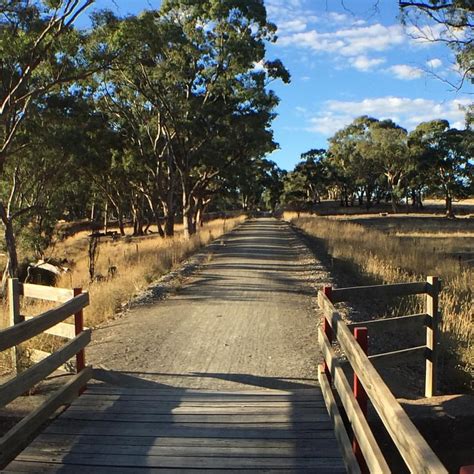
[(389, 259)]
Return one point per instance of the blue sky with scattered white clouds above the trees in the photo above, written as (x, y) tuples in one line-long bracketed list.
[(348, 58)]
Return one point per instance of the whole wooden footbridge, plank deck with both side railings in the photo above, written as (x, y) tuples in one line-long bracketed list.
[(110, 428)]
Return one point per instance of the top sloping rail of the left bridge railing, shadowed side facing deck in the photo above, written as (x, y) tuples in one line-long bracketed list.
[(28, 329)]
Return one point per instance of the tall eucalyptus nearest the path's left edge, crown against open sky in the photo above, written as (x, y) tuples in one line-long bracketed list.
[(211, 86)]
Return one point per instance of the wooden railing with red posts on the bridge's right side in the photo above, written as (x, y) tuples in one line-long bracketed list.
[(363, 453)]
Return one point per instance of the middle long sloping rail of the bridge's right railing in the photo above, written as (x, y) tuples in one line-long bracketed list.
[(368, 445)]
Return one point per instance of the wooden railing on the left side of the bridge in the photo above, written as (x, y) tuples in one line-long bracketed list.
[(22, 330)]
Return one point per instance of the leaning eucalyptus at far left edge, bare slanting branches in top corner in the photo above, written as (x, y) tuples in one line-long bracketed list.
[(40, 51)]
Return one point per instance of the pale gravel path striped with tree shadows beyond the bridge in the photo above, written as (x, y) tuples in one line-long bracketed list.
[(246, 318)]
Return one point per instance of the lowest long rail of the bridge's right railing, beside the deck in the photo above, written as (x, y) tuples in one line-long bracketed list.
[(340, 431)]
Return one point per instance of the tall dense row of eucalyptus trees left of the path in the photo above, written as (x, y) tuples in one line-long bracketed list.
[(146, 117)]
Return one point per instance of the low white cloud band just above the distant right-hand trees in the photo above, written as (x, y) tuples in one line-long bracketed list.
[(407, 112)]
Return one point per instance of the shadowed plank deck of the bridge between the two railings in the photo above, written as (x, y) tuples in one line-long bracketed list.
[(115, 429)]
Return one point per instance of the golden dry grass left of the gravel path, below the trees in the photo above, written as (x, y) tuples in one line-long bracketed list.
[(139, 261)]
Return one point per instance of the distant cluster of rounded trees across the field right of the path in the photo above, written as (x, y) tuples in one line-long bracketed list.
[(372, 160)]
